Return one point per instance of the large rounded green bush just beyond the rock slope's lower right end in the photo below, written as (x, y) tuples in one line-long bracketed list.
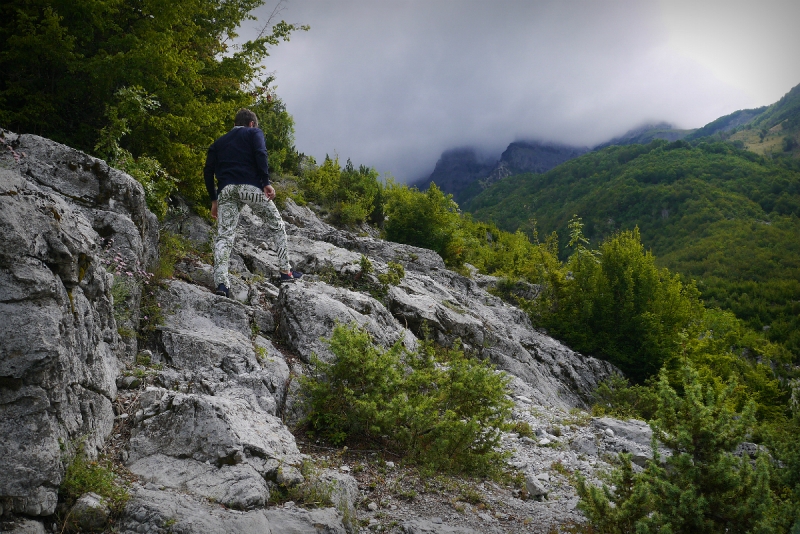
[(617, 304)]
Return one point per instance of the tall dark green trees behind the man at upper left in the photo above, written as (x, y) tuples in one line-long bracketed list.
[(73, 70)]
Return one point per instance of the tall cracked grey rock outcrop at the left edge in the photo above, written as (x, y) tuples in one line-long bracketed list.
[(61, 211)]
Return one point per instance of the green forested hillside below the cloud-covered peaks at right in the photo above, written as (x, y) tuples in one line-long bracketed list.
[(721, 215)]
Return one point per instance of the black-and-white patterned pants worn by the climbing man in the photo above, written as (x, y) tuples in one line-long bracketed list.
[(229, 203)]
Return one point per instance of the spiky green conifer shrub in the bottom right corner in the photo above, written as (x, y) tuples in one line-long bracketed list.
[(702, 486)]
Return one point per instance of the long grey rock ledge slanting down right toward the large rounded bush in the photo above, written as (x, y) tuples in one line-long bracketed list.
[(453, 307)]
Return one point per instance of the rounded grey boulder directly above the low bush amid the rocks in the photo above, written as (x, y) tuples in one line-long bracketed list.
[(310, 310)]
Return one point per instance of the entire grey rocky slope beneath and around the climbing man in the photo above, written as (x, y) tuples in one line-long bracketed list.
[(208, 423)]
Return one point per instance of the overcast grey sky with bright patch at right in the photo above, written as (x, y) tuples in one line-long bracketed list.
[(392, 84)]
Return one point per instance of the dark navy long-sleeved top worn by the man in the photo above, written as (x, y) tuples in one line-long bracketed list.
[(238, 157)]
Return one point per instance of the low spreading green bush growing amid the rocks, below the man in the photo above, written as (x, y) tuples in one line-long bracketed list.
[(440, 409)]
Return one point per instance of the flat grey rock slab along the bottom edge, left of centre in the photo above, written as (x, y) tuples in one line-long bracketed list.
[(181, 514)]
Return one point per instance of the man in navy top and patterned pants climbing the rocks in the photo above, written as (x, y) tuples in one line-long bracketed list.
[(238, 159)]
